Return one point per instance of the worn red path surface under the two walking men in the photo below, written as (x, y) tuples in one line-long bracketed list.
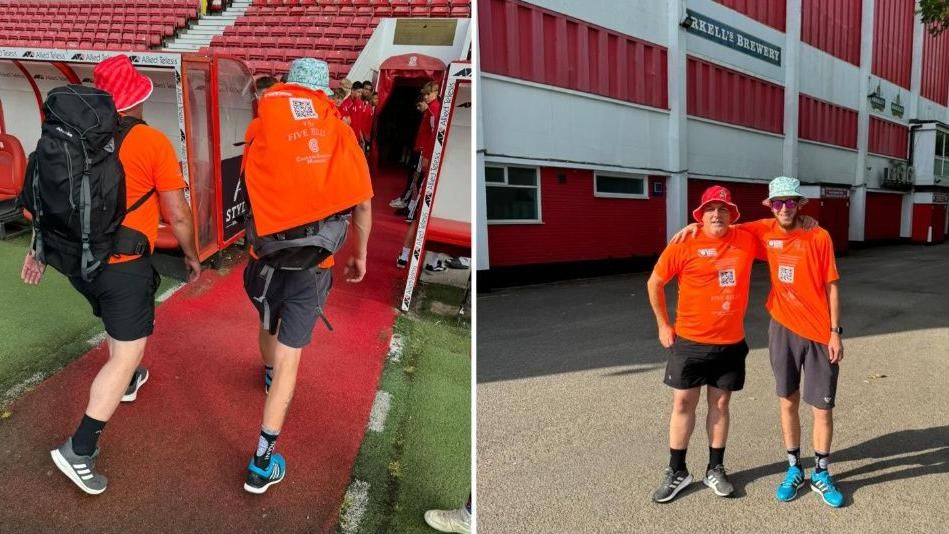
[(176, 458)]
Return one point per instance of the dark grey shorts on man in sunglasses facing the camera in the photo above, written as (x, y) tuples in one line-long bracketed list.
[(791, 355)]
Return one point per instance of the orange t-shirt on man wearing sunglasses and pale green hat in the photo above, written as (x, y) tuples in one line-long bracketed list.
[(801, 263)]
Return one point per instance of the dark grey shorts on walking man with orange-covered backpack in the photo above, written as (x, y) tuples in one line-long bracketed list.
[(288, 302)]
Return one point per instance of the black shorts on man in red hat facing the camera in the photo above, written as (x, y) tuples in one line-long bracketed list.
[(692, 364)]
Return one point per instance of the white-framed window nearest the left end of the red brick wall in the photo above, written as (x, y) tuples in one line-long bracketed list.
[(512, 193)]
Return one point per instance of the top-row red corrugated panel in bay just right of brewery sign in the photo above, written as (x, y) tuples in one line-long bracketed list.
[(833, 27)]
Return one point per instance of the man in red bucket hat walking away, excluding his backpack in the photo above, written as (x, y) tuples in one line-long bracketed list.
[(123, 293)]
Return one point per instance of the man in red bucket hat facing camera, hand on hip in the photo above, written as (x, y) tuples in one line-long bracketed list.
[(707, 342)]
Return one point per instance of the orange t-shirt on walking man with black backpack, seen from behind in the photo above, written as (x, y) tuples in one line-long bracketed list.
[(150, 162)]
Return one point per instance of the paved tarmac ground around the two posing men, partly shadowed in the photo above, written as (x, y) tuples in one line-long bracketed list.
[(573, 416)]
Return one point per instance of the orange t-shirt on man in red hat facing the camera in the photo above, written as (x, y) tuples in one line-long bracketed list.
[(713, 276)]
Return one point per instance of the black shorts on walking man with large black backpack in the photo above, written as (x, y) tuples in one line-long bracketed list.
[(123, 295)]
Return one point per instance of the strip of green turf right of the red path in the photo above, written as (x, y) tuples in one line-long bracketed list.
[(422, 459)]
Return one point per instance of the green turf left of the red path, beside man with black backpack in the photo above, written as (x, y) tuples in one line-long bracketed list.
[(44, 327)]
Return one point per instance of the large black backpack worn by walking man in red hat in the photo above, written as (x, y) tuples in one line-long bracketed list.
[(75, 184)]
